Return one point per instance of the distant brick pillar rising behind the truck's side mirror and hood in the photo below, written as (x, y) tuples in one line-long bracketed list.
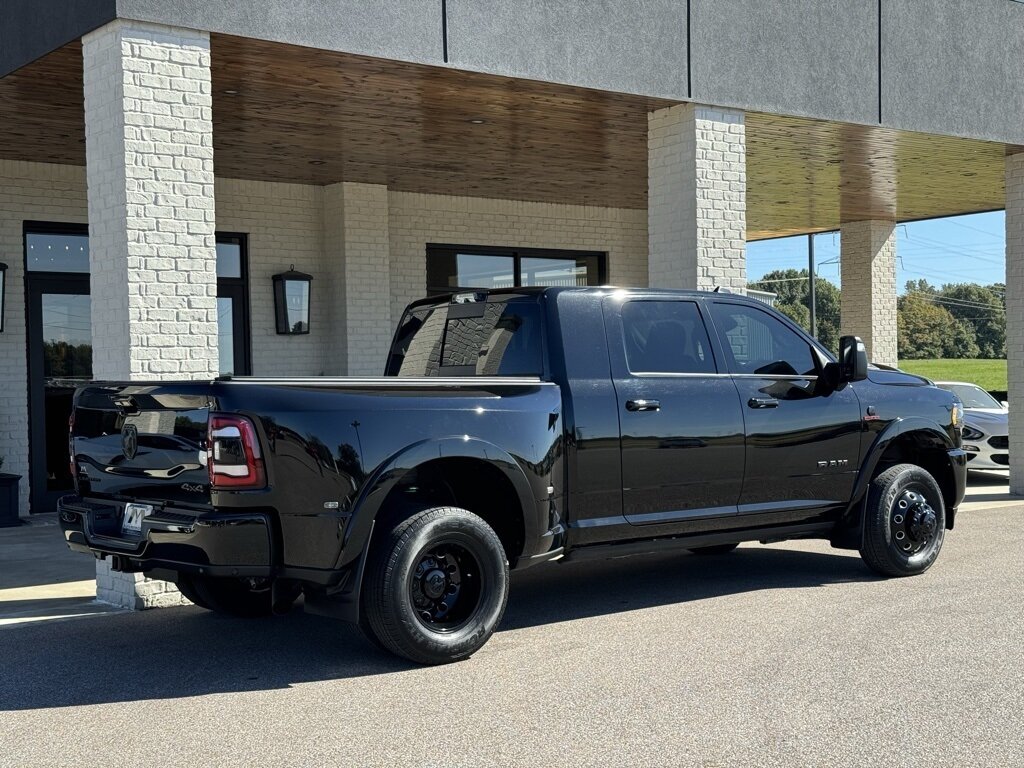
[(868, 276)]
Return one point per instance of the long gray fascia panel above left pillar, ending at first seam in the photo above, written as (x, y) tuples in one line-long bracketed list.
[(403, 30)]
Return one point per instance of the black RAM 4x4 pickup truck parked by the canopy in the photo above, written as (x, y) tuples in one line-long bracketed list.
[(513, 429)]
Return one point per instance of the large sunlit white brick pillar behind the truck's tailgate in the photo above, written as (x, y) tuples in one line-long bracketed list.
[(153, 260)]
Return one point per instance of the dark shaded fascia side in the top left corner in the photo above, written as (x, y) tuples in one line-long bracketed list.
[(30, 29)]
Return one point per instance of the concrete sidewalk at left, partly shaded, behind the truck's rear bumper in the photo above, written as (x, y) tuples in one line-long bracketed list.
[(41, 579)]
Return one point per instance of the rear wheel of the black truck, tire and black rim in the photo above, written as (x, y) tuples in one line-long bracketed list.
[(437, 586)]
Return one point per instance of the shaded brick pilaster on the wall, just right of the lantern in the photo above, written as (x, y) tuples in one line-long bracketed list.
[(358, 253)]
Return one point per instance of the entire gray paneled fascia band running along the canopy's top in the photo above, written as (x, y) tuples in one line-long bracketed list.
[(948, 67)]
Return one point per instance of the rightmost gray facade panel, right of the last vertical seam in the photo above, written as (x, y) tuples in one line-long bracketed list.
[(955, 68)]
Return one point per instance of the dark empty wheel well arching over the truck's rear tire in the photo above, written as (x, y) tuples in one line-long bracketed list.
[(471, 484)]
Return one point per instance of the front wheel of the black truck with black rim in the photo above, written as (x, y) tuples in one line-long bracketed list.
[(905, 522)]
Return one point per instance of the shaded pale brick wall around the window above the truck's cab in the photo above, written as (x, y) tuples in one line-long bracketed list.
[(417, 220)]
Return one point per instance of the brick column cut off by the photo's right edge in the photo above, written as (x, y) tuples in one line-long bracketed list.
[(1015, 318)]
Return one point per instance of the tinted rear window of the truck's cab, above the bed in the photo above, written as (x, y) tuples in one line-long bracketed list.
[(475, 338)]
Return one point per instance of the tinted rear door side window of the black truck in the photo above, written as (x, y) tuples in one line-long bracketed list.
[(666, 337)]
